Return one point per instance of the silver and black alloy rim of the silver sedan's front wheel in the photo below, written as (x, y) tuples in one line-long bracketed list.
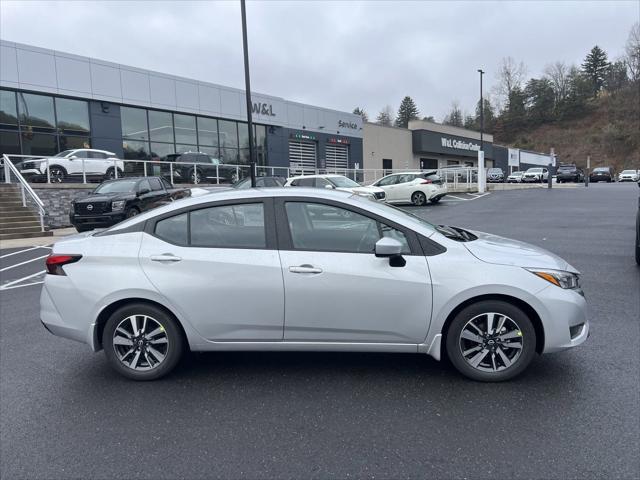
[(491, 342)]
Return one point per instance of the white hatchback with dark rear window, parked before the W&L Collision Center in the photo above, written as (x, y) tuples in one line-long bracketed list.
[(417, 188)]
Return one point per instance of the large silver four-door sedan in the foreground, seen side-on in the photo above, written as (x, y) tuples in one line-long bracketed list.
[(222, 272)]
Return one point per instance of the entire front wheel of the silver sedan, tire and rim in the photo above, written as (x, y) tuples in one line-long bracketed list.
[(491, 341)]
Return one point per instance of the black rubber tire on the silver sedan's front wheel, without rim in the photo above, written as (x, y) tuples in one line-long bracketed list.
[(527, 337)]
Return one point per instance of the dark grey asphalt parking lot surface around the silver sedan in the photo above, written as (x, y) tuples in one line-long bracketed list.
[(65, 414)]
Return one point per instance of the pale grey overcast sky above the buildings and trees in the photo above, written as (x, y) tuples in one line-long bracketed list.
[(332, 54)]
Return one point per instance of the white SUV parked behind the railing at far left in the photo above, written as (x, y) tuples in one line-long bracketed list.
[(73, 165)]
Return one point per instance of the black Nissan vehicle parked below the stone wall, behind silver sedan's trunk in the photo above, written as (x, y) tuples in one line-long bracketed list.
[(115, 200)]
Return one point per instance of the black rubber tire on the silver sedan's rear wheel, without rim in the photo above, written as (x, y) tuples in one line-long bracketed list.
[(172, 350)]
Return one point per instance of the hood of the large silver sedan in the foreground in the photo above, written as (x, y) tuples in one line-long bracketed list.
[(505, 251)]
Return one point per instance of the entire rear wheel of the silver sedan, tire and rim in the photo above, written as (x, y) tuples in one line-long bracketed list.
[(142, 342)]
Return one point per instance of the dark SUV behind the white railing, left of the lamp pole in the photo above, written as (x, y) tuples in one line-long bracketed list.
[(197, 167)]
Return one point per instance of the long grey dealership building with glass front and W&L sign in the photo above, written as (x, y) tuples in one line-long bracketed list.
[(52, 101)]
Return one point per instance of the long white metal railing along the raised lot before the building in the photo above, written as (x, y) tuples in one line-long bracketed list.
[(46, 169)]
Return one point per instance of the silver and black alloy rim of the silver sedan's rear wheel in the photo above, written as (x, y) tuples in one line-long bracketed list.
[(140, 342)]
